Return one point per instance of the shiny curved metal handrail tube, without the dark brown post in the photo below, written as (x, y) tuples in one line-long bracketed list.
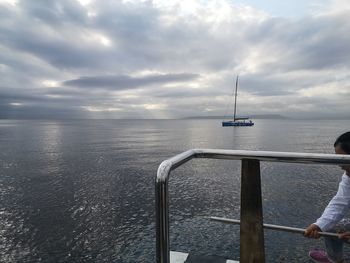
[(163, 173)]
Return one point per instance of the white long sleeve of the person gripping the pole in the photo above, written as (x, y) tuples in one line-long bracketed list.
[(337, 207)]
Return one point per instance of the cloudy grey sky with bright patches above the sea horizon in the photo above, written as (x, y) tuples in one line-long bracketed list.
[(173, 59)]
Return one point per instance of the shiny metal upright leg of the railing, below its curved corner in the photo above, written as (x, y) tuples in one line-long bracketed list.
[(162, 222)]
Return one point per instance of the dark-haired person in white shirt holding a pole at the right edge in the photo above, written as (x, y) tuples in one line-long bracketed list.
[(332, 219)]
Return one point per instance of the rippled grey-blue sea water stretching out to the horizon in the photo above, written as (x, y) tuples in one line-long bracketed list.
[(83, 190)]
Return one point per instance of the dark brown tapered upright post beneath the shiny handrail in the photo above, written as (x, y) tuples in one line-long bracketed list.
[(251, 231)]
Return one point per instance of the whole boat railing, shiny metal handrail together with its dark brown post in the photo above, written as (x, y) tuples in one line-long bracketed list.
[(251, 229)]
